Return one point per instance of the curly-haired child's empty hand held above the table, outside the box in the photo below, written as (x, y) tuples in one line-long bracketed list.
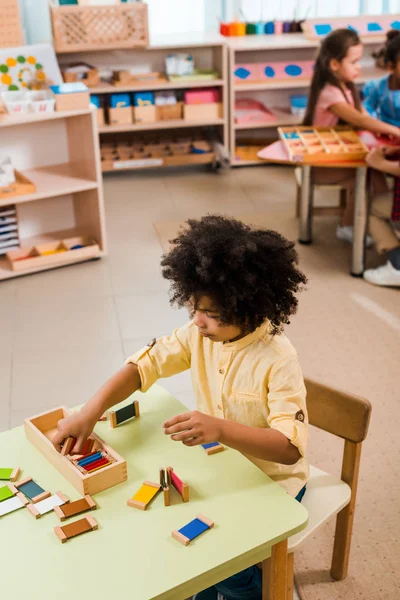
[(193, 428)]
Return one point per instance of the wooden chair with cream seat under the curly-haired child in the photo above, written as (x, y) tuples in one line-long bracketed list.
[(346, 416)]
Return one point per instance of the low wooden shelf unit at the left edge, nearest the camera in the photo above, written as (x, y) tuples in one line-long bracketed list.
[(68, 201)]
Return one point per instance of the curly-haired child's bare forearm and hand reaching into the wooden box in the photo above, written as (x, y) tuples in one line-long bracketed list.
[(81, 424)]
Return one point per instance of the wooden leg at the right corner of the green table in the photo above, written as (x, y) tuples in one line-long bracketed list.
[(274, 573)]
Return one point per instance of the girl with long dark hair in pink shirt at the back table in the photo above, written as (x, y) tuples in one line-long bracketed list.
[(334, 100)]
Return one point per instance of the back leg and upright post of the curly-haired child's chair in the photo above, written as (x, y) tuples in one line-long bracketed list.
[(344, 520)]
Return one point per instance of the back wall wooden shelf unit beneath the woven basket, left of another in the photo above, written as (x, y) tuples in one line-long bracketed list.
[(208, 52)]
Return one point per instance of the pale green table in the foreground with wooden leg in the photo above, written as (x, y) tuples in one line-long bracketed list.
[(132, 554)]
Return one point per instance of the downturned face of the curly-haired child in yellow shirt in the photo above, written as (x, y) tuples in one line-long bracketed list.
[(206, 318)]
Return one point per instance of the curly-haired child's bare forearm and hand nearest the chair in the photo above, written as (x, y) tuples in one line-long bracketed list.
[(194, 428)]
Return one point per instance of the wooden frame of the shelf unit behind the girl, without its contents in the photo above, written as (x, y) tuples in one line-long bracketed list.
[(275, 93)]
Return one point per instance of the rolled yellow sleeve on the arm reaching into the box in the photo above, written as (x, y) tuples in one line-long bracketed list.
[(163, 357)]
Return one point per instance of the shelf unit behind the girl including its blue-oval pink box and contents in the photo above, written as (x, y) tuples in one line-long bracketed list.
[(264, 70)]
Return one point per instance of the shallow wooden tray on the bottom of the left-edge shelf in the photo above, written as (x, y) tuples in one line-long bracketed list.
[(56, 253)]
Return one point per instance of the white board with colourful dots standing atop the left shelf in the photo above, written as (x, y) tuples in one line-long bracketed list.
[(28, 67)]
